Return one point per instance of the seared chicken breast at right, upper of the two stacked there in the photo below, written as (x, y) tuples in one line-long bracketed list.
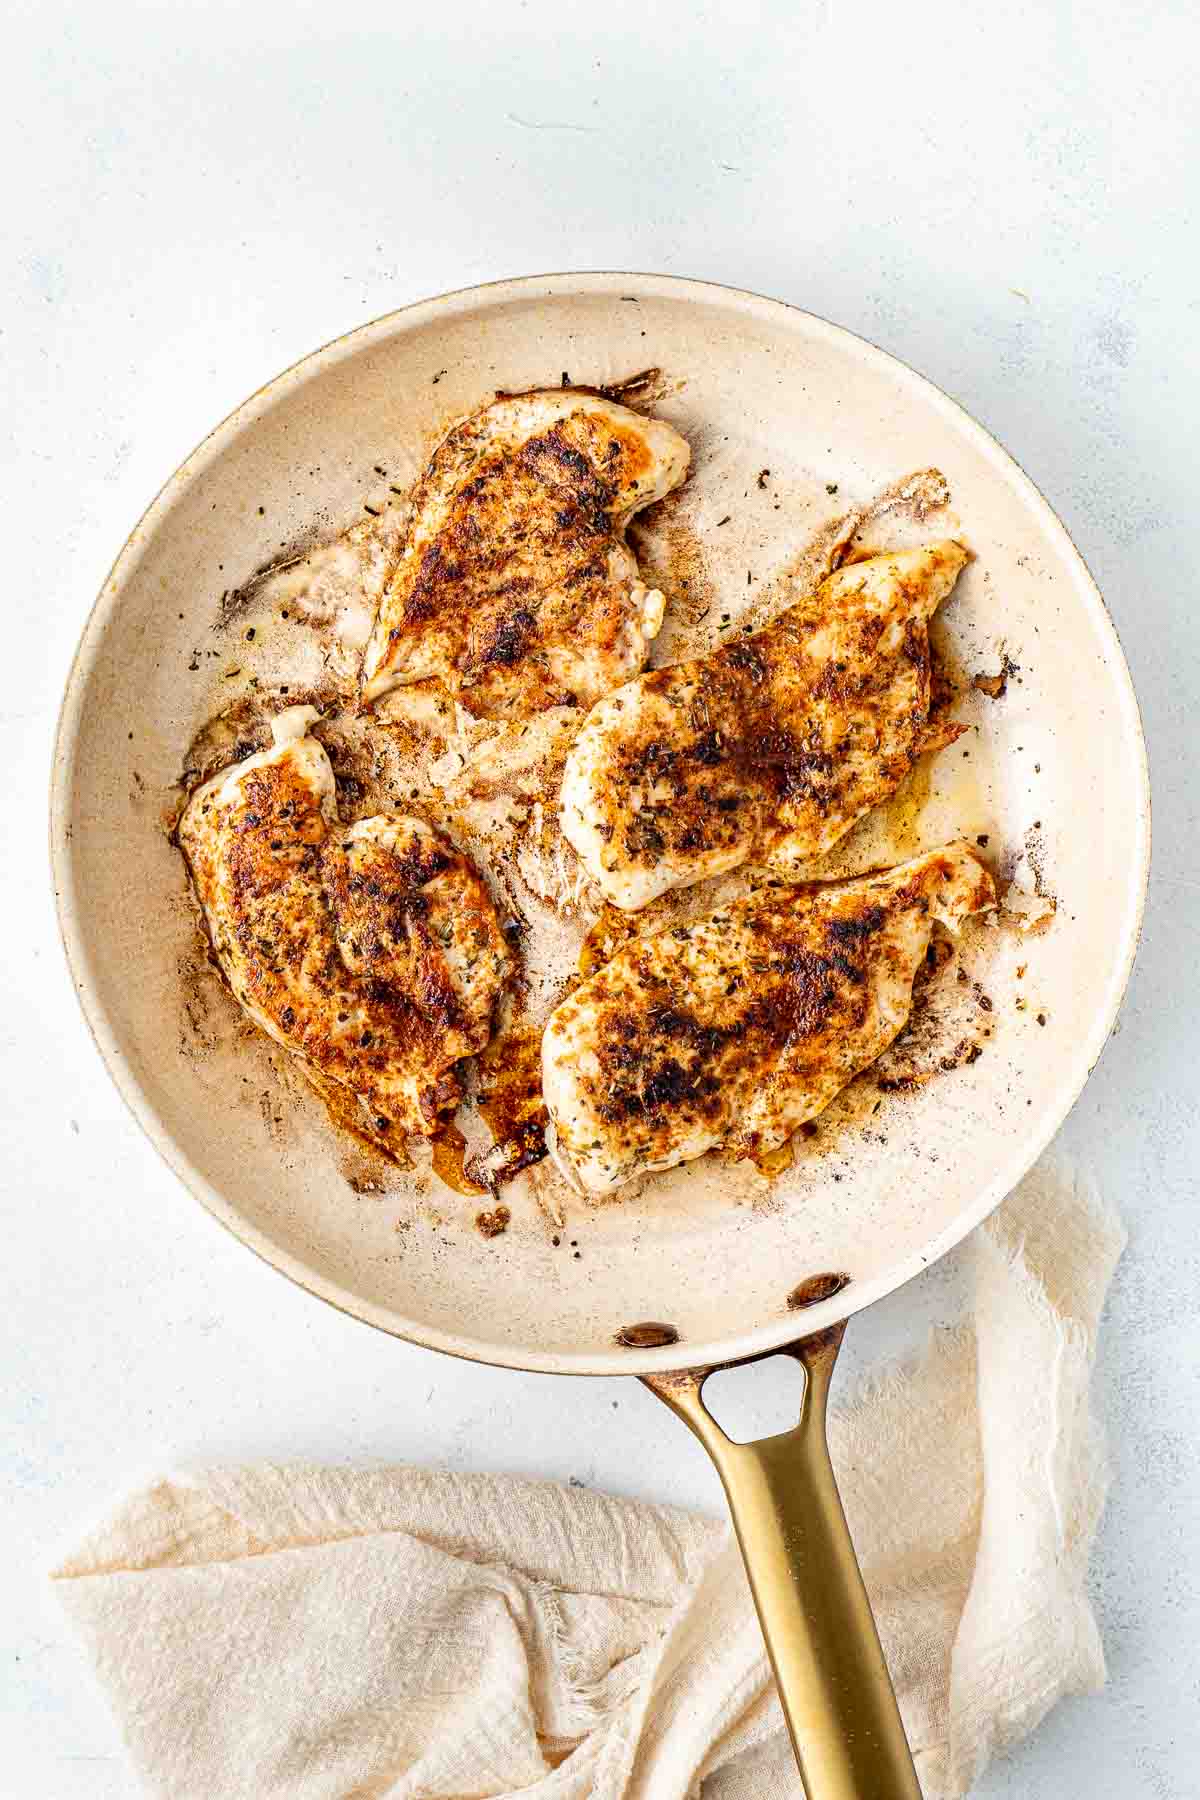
[(771, 746)]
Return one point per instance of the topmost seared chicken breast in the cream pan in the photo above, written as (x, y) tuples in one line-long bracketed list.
[(515, 588)]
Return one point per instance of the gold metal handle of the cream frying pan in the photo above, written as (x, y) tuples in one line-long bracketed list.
[(818, 1623)]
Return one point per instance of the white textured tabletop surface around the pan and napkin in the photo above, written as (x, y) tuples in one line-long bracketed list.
[(195, 197)]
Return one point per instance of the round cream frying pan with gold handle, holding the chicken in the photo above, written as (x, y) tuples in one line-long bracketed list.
[(789, 418)]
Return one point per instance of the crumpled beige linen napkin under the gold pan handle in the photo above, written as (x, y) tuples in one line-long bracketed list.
[(330, 1633)]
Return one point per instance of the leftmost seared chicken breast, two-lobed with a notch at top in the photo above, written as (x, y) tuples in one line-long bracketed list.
[(372, 951)]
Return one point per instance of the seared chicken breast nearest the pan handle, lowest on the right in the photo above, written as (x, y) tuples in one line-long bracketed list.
[(740, 1027)]
